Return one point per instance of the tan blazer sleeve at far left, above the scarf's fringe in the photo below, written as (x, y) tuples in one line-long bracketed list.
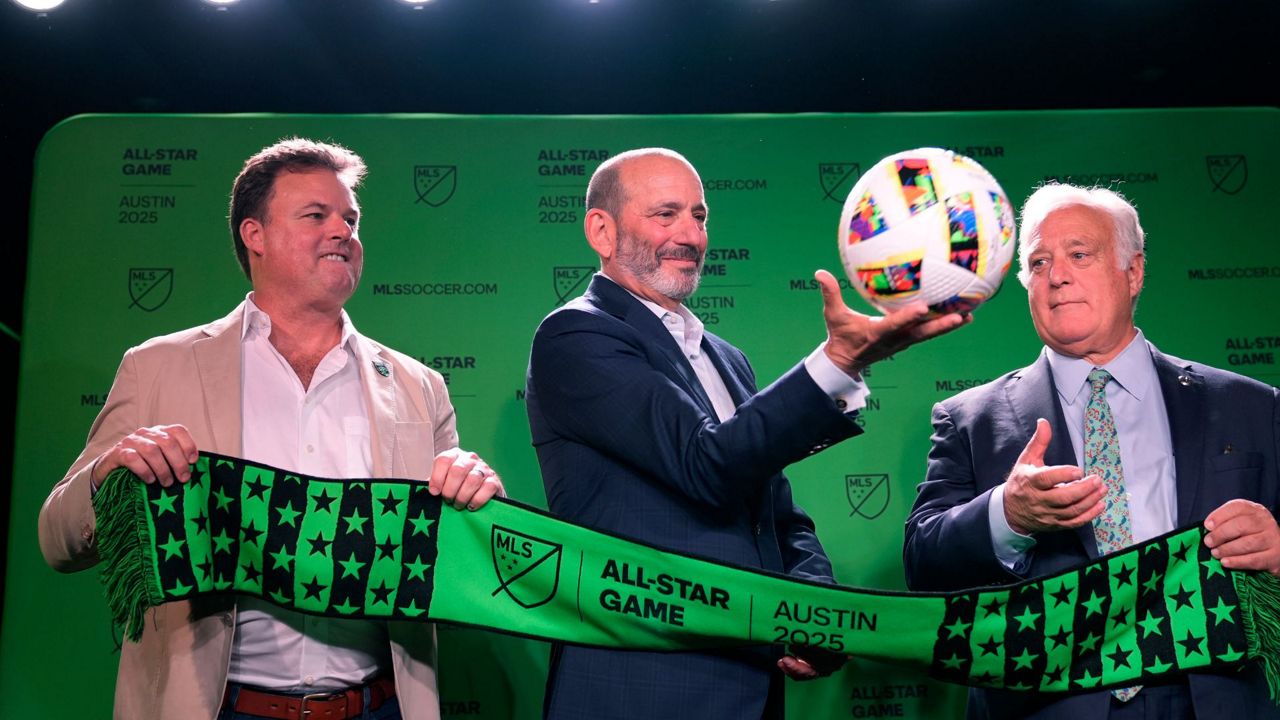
[(67, 523)]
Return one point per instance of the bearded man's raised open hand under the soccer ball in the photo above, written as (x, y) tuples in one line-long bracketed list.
[(854, 341)]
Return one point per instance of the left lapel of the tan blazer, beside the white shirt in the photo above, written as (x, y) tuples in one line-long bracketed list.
[(218, 361)]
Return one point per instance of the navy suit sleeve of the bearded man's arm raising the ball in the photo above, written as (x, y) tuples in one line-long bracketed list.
[(601, 386)]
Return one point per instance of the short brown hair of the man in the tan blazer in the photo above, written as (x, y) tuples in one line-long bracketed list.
[(257, 181)]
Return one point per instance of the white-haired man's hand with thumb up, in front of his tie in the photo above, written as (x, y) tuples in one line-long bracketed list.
[(1040, 499)]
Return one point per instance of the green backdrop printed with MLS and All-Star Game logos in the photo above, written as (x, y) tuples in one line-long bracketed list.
[(473, 233)]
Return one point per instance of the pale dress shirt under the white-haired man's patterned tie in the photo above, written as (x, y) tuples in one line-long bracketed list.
[(1146, 445)]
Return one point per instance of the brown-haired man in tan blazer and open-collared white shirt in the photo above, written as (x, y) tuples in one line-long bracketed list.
[(284, 380)]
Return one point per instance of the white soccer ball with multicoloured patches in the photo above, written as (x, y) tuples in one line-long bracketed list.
[(927, 225)]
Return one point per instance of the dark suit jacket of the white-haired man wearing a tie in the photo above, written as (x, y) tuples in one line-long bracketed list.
[(1226, 430)]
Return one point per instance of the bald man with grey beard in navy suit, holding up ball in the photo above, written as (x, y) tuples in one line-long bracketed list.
[(650, 429)]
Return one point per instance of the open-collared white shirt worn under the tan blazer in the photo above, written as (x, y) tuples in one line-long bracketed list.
[(318, 431)]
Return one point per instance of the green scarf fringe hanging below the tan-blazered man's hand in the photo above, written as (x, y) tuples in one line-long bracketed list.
[(125, 548)]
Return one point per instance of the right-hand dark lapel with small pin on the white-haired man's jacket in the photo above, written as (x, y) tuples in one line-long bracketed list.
[(1183, 391)]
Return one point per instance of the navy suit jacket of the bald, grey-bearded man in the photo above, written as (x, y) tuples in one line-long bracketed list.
[(629, 444)]
